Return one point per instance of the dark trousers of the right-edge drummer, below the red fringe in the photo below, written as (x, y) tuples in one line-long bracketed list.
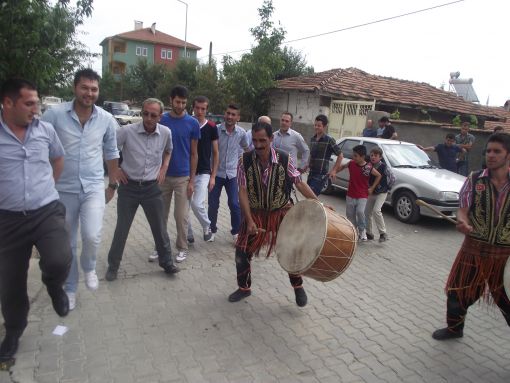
[(456, 311)]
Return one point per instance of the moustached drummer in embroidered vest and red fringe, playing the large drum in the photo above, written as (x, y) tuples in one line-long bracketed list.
[(270, 174)]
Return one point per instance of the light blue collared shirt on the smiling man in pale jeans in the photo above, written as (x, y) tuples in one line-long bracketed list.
[(84, 146)]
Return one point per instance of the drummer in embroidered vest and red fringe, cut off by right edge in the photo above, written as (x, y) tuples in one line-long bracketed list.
[(484, 217)]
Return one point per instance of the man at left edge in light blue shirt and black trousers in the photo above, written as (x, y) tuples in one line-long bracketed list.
[(31, 159)]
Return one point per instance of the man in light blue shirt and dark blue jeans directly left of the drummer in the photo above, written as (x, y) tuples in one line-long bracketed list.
[(231, 138)]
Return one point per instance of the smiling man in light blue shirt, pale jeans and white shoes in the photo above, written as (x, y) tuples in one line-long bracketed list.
[(86, 132)]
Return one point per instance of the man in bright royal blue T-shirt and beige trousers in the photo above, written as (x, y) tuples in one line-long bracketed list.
[(183, 166)]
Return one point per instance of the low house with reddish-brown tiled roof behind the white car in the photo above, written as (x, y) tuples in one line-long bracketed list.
[(347, 96)]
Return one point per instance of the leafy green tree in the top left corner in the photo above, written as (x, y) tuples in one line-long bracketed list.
[(38, 40)]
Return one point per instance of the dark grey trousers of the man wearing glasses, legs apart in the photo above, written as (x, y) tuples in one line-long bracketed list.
[(130, 196)]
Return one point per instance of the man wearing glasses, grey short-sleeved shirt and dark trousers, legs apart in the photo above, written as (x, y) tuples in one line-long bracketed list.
[(146, 148)]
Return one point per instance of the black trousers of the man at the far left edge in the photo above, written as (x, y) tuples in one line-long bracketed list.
[(45, 229)]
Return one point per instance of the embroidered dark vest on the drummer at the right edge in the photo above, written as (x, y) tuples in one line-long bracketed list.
[(481, 213)]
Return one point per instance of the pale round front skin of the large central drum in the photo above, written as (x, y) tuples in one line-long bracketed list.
[(301, 236)]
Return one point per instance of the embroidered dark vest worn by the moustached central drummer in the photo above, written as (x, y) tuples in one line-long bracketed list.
[(276, 194)]
